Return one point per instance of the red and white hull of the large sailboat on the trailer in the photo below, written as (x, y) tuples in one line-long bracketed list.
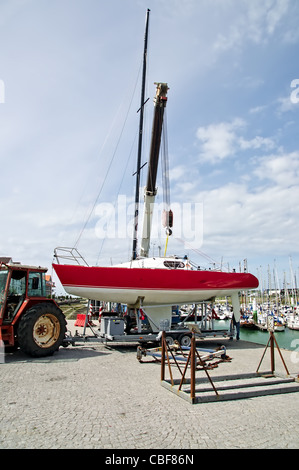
[(155, 286)]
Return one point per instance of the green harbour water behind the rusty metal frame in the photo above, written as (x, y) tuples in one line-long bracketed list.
[(287, 339)]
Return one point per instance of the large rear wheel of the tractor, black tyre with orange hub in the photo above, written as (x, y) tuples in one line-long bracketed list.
[(41, 330)]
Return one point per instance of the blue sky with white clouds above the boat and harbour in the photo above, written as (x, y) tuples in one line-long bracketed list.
[(70, 78)]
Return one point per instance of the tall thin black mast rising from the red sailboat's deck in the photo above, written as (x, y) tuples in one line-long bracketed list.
[(135, 235)]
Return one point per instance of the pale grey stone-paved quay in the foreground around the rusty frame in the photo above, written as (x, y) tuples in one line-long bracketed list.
[(95, 397)]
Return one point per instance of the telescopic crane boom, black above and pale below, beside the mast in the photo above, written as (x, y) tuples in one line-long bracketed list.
[(150, 190)]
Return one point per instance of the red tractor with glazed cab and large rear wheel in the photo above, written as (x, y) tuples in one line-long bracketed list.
[(28, 319)]
